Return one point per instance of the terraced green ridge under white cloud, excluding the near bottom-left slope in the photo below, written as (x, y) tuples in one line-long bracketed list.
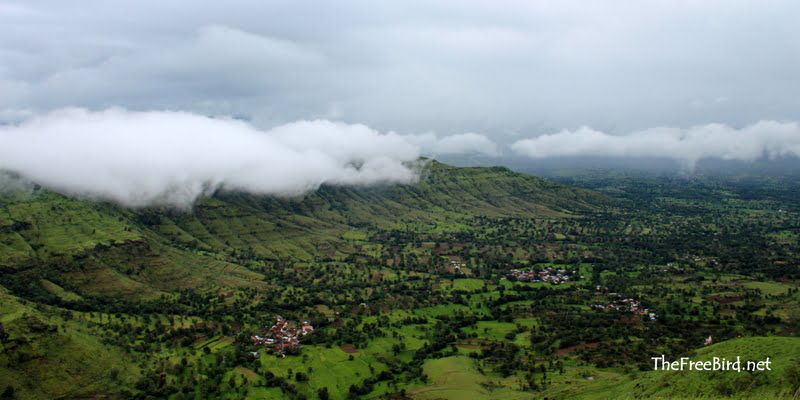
[(107, 250)]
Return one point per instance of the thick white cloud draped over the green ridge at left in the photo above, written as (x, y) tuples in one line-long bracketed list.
[(144, 158)]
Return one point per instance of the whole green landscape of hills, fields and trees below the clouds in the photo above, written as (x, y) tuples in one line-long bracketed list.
[(409, 289)]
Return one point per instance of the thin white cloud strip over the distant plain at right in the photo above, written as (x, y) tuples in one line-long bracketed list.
[(764, 139)]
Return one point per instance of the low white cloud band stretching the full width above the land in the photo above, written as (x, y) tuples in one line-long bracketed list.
[(172, 158)]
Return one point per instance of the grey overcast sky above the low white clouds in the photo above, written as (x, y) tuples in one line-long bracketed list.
[(499, 68)]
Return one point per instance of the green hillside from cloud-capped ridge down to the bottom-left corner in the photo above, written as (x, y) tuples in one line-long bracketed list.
[(60, 256)]
